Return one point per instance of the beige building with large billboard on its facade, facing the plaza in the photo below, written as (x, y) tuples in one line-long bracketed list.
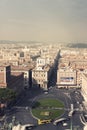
[(66, 78)]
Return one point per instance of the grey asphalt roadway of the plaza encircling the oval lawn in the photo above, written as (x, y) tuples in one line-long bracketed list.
[(22, 113)]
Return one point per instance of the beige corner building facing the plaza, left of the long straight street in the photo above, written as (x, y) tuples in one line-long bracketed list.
[(41, 76)]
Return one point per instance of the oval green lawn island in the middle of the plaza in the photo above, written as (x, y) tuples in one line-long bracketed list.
[(48, 108)]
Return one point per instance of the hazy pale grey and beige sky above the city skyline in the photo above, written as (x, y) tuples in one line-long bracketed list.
[(44, 20)]
